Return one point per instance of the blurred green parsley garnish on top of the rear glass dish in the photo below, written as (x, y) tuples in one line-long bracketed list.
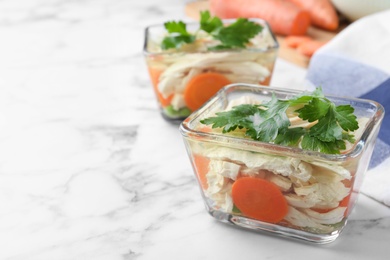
[(235, 35)]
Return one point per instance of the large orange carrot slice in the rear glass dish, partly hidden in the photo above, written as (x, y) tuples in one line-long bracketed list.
[(202, 87)]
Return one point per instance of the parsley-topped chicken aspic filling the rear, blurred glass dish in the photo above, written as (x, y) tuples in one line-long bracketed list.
[(186, 73)]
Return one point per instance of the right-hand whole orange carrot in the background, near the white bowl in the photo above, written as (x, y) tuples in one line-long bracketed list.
[(322, 13)]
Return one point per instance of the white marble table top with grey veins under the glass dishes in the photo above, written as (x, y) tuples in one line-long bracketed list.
[(90, 170)]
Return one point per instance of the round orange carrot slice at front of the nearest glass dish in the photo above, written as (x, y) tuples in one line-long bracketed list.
[(259, 199)]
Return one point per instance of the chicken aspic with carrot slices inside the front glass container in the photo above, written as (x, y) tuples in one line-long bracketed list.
[(306, 194)]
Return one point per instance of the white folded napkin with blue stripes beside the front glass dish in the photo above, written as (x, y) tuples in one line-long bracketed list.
[(357, 63)]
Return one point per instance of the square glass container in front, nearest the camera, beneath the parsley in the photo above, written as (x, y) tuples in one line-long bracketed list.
[(320, 189)]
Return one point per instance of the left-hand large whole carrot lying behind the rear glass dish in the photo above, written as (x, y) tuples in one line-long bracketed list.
[(284, 17)]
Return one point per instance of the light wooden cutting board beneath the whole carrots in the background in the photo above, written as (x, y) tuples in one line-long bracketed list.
[(192, 10)]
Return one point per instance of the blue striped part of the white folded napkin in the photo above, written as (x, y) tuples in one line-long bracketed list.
[(344, 77)]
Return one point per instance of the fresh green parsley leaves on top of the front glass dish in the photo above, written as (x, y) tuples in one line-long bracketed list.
[(269, 122)]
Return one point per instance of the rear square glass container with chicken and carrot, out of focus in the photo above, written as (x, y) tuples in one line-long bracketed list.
[(184, 78)]
